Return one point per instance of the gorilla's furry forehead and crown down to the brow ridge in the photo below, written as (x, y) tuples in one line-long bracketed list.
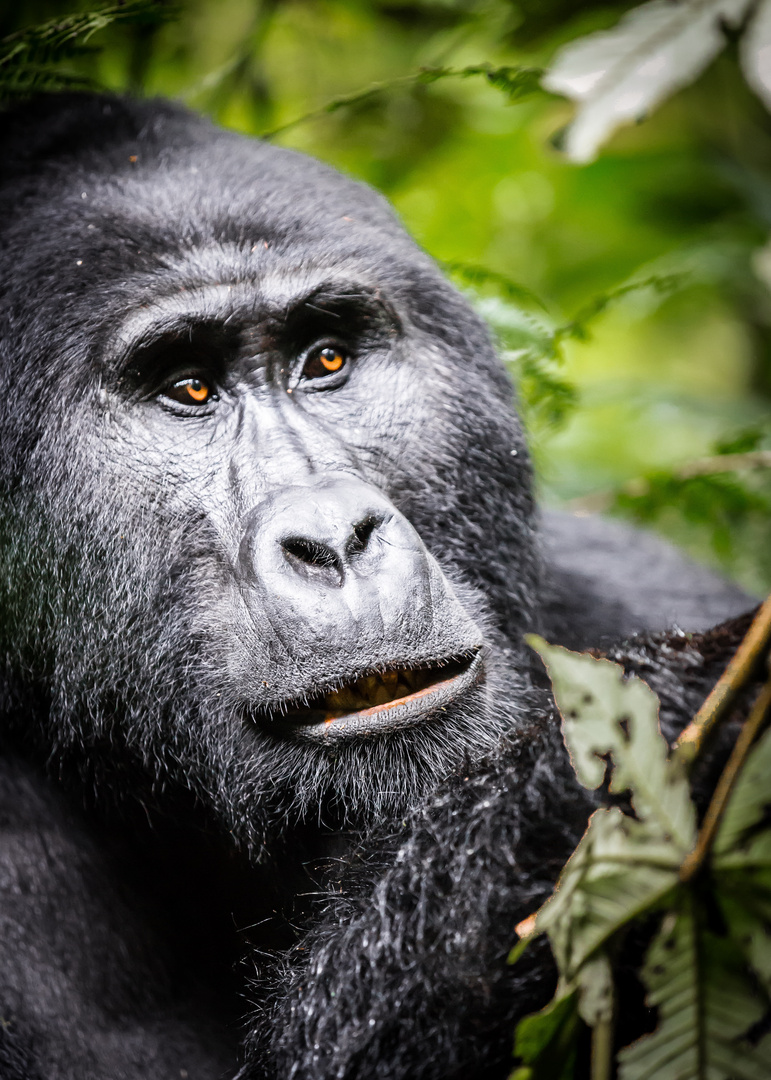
[(152, 200)]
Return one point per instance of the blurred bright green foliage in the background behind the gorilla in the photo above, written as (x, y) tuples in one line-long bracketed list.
[(632, 296)]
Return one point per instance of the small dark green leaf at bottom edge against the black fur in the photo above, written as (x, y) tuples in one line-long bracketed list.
[(547, 1042)]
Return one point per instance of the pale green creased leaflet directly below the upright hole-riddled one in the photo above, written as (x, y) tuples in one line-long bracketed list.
[(620, 870)]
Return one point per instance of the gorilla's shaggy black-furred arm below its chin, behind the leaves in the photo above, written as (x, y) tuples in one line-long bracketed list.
[(405, 975)]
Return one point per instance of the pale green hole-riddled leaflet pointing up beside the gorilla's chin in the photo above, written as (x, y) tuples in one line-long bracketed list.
[(605, 714)]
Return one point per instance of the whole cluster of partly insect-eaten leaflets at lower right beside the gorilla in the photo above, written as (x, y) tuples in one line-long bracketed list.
[(709, 969)]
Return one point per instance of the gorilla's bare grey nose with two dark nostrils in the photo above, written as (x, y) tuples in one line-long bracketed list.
[(335, 565)]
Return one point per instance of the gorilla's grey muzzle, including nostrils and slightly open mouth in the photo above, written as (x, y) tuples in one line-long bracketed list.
[(372, 628)]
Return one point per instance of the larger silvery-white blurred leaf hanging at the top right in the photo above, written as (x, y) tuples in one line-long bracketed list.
[(619, 76)]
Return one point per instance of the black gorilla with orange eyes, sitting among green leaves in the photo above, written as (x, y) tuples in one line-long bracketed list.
[(268, 550)]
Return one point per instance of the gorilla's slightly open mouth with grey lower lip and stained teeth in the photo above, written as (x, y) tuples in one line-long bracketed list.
[(384, 701)]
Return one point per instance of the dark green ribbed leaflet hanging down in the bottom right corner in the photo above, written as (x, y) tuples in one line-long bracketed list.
[(707, 1005)]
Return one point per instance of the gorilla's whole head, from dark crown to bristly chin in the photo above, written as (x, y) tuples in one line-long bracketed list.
[(267, 521)]
